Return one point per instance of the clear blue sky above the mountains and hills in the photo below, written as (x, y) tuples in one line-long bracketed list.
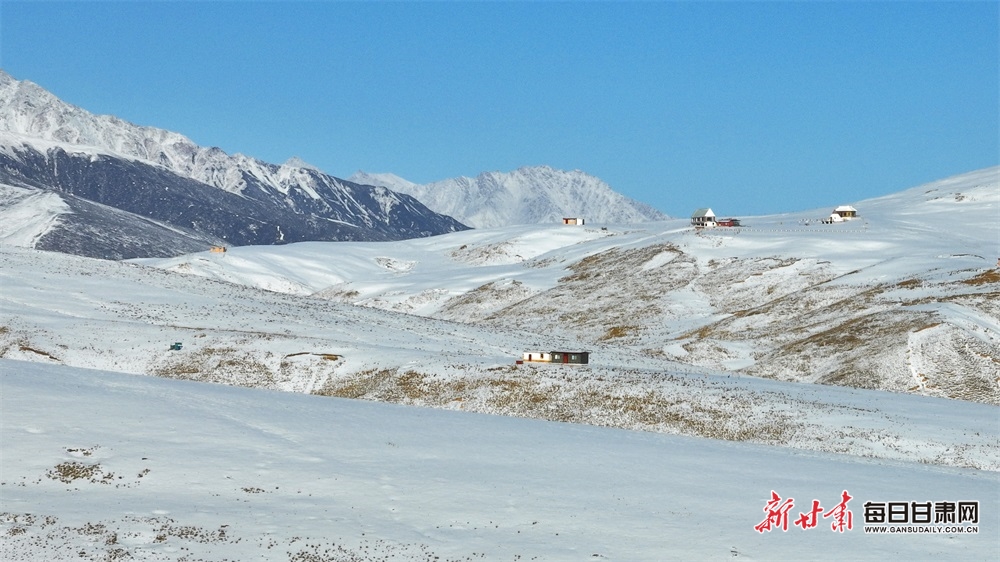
[(749, 108)]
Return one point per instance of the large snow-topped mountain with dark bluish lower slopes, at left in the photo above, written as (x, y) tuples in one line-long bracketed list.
[(197, 193)]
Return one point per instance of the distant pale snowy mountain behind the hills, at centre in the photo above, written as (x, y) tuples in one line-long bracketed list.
[(529, 195)]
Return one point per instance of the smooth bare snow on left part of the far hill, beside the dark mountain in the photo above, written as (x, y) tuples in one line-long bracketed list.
[(449, 265)]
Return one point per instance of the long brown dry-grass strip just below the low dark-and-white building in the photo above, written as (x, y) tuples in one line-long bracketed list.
[(536, 394)]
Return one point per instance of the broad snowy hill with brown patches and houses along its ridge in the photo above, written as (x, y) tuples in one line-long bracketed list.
[(903, 298)]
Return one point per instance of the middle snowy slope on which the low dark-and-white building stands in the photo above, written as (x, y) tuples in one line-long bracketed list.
[(97, 314)]
